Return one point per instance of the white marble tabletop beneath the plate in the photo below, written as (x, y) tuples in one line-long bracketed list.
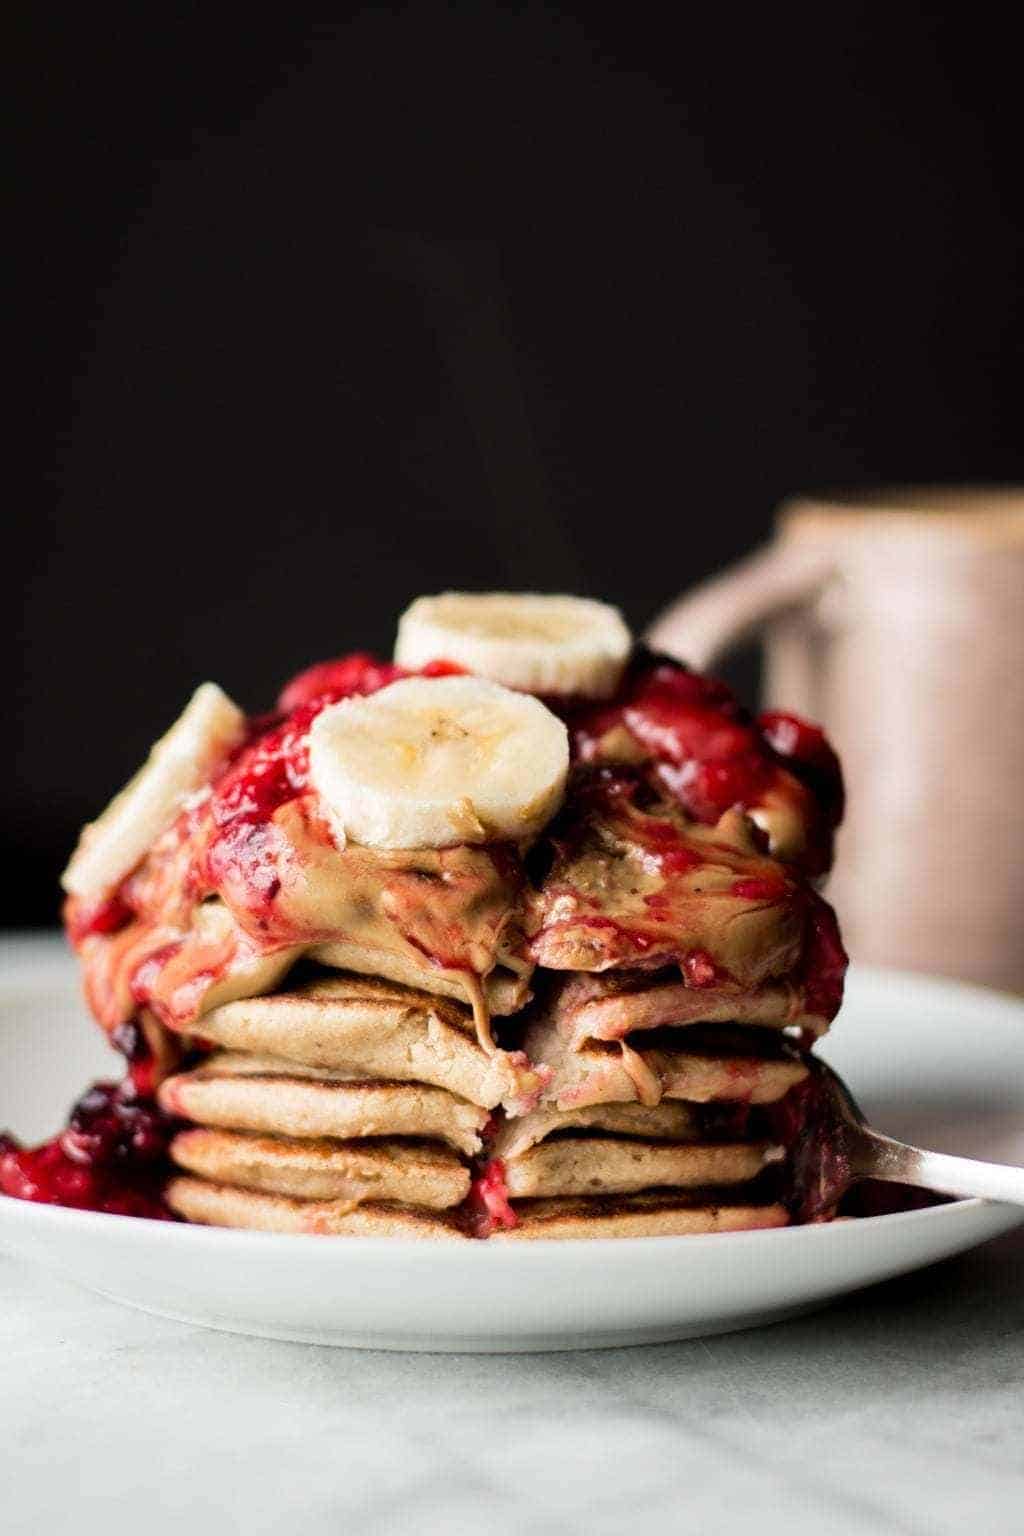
[(900, 1411)]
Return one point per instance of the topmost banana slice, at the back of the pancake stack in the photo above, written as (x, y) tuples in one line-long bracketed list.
[(541, 644)]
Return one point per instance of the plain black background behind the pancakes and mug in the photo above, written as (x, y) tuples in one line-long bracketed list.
[(311, 319)]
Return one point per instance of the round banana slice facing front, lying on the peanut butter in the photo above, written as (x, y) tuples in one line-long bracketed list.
[(437, 761)]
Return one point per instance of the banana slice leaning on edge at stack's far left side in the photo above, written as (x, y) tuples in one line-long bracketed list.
[(182, 763)]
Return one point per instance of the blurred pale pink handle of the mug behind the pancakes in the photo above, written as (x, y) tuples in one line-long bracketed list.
[(722, 612)]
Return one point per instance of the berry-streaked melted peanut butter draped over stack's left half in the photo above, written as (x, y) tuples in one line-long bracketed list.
[(414, 915)]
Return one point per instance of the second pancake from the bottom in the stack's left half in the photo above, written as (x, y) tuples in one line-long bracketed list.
[(409, 1173)]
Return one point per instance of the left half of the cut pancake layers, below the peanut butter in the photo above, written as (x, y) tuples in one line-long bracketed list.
[(348, 1105)]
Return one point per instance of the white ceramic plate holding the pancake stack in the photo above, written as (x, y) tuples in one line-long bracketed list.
[(927, 1059)]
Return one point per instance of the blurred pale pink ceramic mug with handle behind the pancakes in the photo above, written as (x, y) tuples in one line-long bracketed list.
[(897, 621)]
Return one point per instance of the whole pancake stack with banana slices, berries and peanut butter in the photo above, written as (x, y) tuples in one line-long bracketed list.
[(514, 938)]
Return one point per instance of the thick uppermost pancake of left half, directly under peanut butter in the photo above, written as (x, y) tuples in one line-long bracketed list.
[(378, 1030)]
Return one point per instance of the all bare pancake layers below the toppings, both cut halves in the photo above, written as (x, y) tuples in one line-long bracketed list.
[(358, 1107)]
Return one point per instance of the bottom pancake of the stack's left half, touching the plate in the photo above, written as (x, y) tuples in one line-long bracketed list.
[(223, 1207)]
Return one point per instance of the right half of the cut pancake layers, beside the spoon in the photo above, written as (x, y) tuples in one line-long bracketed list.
[(672, 1130)]
